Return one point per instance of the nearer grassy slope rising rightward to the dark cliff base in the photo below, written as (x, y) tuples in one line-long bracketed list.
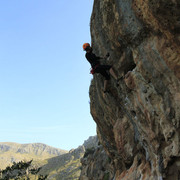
[(68, 166)]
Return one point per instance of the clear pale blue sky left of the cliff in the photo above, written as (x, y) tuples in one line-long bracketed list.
[(44, 76)]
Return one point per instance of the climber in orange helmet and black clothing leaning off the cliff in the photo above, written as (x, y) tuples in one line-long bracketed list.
[(96, 67)]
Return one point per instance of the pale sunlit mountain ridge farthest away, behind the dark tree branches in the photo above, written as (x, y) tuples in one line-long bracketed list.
[(14, 152)]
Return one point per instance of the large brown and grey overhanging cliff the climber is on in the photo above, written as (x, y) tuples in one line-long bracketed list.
[(138, 121)]
